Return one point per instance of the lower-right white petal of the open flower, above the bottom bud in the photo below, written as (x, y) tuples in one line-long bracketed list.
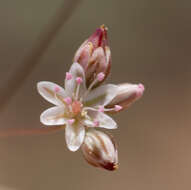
[(104, 120)]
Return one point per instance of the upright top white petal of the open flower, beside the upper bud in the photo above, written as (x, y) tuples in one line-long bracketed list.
[(70, 85)]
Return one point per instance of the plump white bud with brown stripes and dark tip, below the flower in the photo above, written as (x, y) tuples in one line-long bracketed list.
[(99, 150)]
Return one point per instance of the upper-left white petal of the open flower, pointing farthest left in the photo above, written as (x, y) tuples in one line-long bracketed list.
[(47, 91)]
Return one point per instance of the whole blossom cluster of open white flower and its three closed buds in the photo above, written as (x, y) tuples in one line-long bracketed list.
[(82, 107)]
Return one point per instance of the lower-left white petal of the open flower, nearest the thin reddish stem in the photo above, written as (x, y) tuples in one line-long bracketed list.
[(53, 116)]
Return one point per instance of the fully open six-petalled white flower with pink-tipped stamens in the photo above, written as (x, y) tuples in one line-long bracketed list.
[(77, 107)]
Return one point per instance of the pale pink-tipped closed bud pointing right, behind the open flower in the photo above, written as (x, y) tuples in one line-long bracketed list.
[(126, 95)]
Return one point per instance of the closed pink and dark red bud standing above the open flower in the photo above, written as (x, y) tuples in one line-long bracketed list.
[(94, 55)]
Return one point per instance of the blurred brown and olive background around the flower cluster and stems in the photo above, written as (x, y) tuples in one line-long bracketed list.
[(151, 43)]
